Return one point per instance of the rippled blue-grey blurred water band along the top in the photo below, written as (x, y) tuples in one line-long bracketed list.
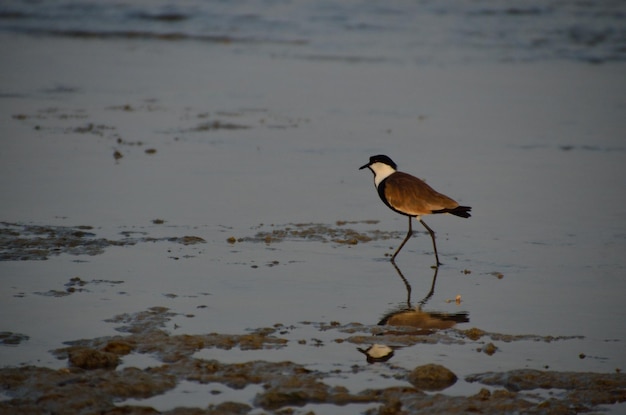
[(423, 31)]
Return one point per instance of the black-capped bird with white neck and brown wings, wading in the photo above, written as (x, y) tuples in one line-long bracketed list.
[(410, 196)]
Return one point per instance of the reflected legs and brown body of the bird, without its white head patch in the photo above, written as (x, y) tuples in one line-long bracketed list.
[(426, 322)]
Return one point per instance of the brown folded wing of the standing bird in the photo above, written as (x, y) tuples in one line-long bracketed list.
[(413, 196)]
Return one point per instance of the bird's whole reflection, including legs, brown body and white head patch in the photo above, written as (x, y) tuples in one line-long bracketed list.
[(406, 315)]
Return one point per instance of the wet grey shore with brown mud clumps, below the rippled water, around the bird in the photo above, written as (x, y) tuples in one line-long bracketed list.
[(187, 222)]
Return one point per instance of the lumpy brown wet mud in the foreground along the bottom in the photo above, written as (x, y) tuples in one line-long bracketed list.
[(91, 384)]
